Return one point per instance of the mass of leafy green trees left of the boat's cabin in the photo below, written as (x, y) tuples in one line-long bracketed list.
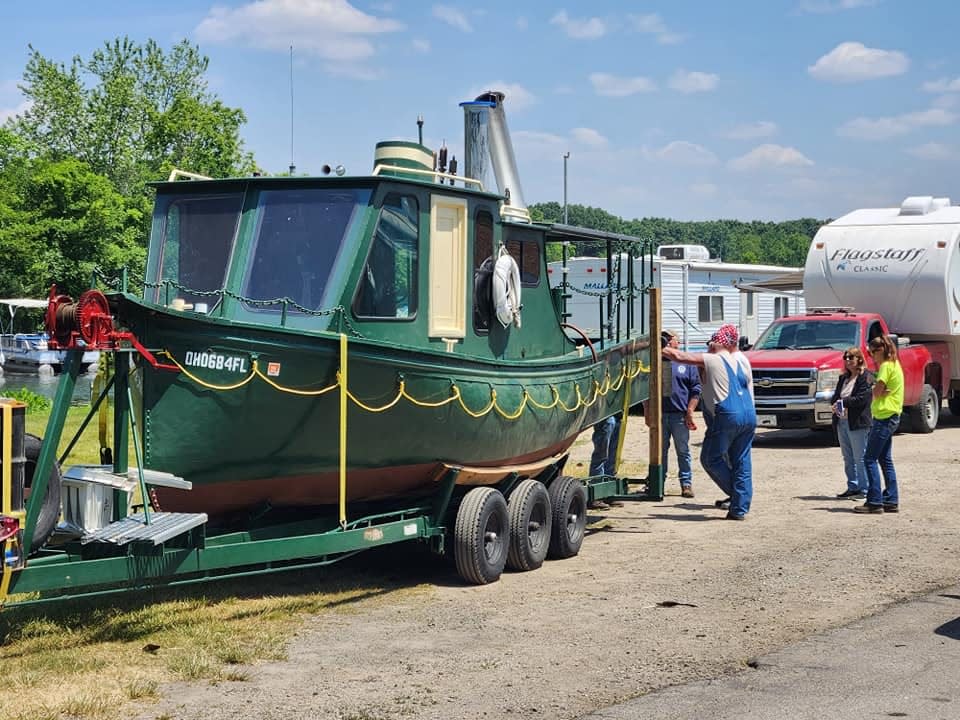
[(74, 166)]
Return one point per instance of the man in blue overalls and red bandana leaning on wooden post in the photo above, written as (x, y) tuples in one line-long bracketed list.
[(728, 410)]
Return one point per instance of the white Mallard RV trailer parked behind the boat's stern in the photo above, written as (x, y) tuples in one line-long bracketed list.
[(698, 294)]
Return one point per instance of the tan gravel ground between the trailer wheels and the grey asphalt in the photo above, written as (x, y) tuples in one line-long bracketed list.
[(660, 594)]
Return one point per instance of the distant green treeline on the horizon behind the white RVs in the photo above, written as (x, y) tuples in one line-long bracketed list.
[(756, 242)]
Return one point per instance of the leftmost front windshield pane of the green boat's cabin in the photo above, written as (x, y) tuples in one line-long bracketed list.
[(198, 234)]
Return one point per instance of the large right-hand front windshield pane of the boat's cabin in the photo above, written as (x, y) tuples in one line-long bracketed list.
[(298, 236)]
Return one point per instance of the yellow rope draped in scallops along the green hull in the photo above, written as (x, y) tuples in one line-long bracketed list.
[(628, 371)]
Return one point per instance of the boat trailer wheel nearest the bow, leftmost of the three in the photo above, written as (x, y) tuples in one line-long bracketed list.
[(481, 536)]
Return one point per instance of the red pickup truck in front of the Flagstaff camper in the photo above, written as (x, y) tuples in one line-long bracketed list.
[(798, 360)]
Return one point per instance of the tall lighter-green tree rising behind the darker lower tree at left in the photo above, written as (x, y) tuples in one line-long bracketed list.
[(143, 112)]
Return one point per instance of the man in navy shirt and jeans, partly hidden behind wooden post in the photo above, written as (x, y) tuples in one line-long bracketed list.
[(677, 421)]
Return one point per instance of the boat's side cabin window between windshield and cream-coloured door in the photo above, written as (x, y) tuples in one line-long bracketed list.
[(388, 283)]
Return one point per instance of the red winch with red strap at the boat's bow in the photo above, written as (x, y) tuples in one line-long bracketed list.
[(88, 324)]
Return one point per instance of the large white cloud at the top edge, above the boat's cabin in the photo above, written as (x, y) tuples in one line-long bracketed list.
[(331, 29)]
